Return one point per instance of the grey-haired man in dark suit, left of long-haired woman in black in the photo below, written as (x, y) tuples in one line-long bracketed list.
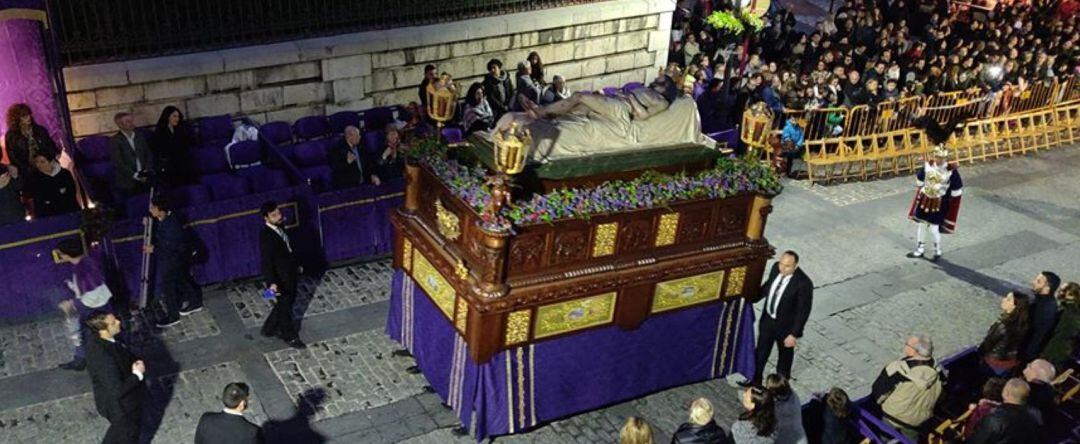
[(130, 153)]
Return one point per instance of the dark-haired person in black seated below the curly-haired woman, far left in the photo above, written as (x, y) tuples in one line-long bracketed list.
[(51, 187)]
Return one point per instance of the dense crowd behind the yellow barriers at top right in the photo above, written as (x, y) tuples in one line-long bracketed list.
[(867, 53)]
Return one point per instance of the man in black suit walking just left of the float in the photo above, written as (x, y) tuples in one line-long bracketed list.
[(280, 273)]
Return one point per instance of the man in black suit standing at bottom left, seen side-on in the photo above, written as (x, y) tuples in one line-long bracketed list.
[(117, 378)]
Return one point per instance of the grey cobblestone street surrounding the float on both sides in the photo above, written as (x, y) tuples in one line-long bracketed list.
[(1020, 217)]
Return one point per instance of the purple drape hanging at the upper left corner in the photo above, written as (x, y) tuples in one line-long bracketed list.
[(25, 76)]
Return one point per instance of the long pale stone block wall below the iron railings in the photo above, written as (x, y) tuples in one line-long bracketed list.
[(592, 46)]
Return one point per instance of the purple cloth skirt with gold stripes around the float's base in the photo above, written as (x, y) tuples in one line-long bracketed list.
[(525, 387)]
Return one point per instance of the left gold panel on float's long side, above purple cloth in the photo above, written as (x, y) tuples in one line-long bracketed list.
[(575, 315)]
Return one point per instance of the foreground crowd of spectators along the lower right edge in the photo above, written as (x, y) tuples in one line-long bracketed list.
[(1014, 373)]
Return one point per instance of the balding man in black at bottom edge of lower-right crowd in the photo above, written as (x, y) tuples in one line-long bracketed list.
[(1012, 423)]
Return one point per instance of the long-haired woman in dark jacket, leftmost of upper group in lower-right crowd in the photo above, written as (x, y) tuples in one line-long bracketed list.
[(1001, 348)]
